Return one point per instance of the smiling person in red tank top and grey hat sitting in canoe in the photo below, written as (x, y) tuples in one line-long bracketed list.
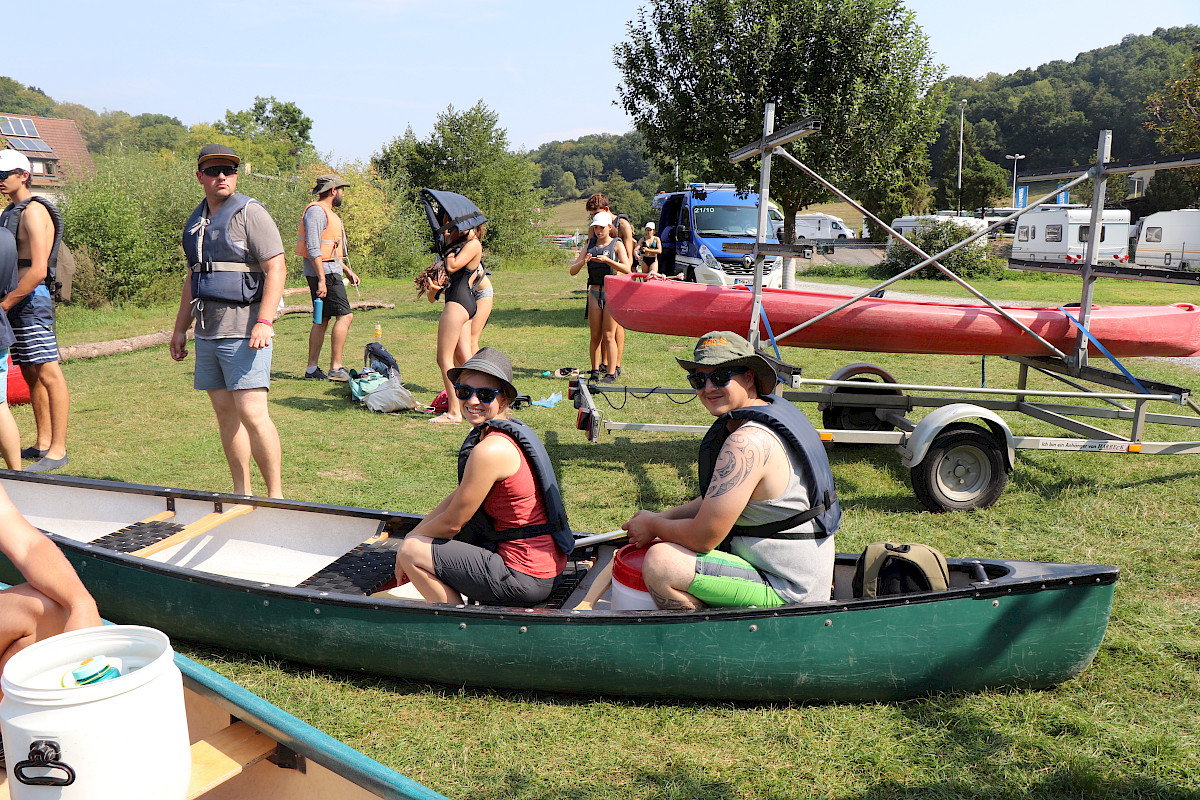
[(502, 537)]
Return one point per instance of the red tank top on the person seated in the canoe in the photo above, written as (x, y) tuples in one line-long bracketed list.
[(517, 503)]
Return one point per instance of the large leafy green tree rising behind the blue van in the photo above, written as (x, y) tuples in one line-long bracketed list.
[(698, 75)]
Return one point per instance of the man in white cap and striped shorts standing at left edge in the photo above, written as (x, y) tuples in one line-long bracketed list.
[(38, 227)]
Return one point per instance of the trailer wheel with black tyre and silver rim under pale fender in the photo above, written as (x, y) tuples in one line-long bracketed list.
[(964, 470)]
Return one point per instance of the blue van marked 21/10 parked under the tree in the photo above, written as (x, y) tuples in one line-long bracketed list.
[(695, 226)]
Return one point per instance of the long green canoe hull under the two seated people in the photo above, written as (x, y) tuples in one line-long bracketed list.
[(1033, 625)]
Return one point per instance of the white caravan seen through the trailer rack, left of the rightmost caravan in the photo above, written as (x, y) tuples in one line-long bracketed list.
[(1058, 234)]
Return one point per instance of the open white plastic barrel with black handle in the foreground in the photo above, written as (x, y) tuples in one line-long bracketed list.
[(122, 738)]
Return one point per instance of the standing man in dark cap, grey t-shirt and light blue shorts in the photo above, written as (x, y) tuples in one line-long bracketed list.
[(233, 291)]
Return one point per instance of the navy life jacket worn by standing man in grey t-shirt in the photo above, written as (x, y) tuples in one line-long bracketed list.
[(221, 268)]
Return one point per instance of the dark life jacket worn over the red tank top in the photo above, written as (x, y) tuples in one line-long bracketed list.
[(543, 473)]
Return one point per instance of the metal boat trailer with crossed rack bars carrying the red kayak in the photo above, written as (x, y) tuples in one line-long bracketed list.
[(962, 453)]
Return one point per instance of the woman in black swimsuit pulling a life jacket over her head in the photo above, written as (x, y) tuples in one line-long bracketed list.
[(464, 260)]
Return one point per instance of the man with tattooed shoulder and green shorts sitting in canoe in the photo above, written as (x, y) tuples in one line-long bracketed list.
[(761, 532)]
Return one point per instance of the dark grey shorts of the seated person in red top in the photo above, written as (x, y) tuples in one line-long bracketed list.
[(483, 575)]
